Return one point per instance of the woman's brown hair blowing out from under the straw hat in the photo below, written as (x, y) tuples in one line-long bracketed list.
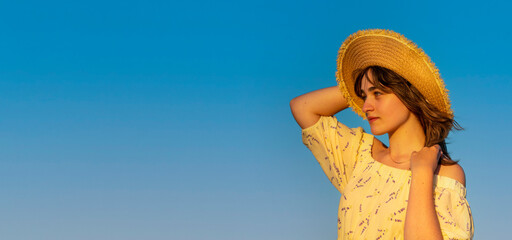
[(436, 124)]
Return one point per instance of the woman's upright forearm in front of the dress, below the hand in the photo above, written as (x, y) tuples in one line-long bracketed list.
[(421, 218)]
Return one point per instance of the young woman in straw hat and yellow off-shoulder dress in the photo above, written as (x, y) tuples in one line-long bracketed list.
[(411, 189)]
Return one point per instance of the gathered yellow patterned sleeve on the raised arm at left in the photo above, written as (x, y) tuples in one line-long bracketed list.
[(335, 147)]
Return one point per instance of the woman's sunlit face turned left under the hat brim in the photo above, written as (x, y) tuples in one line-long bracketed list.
[(385, 112)]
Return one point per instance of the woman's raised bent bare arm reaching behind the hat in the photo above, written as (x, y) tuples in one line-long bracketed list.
[(308, 108)]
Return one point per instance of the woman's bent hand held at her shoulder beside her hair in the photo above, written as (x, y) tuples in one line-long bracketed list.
[(426, 159)]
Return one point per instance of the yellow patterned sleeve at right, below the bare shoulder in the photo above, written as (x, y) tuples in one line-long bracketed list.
[(453, 211)]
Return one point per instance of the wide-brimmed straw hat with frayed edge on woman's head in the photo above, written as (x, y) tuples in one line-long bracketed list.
[(391, 50)]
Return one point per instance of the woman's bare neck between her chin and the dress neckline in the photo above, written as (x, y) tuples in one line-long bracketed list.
[(408, 138)]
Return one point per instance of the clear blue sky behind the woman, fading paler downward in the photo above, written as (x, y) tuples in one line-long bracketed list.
[(163, 120)]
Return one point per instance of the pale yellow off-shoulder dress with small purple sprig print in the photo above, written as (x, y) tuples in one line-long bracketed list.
[(374, 196)]
